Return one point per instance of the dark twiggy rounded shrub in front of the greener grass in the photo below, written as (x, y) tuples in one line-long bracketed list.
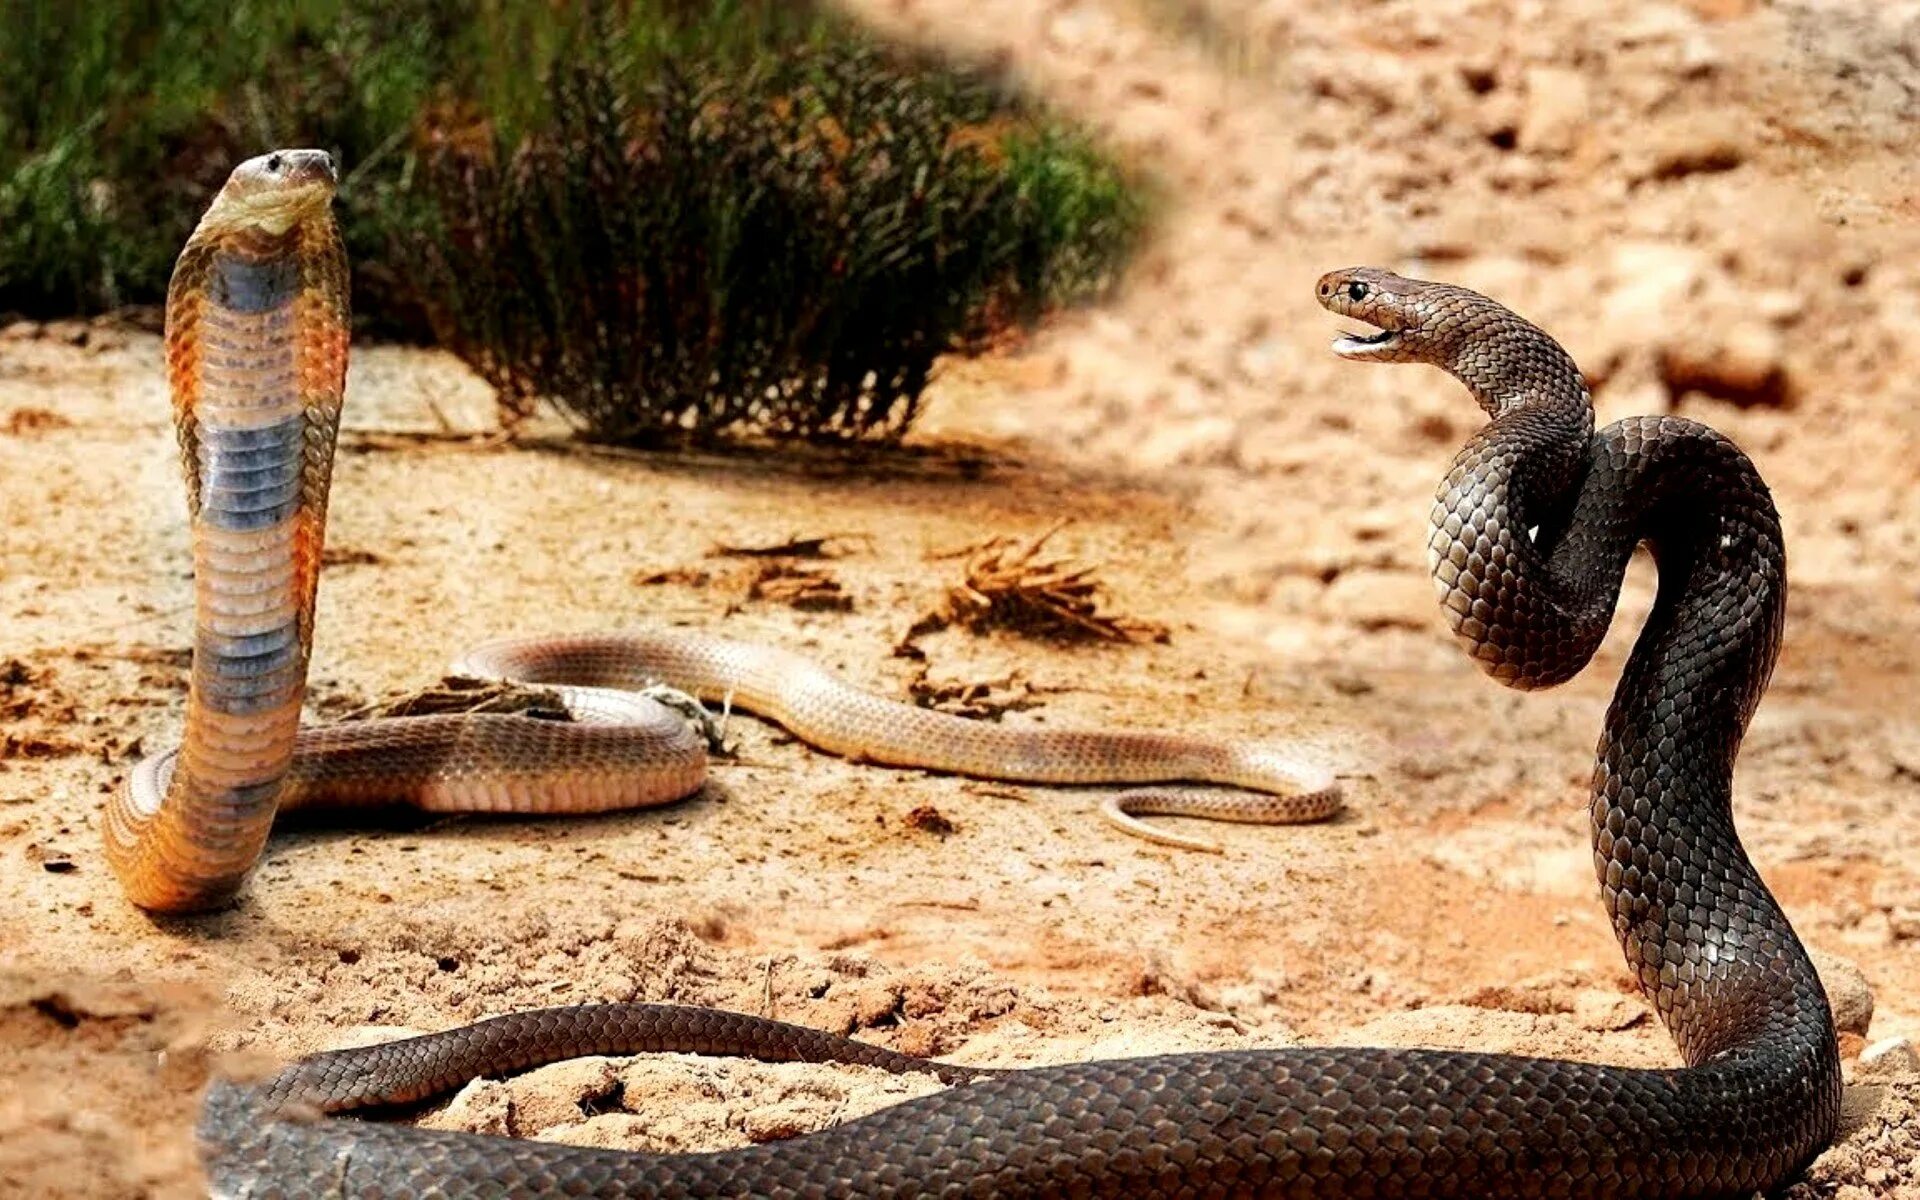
[(780, 251)]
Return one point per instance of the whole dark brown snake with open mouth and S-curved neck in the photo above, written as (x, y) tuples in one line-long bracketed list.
[(1533, 531)]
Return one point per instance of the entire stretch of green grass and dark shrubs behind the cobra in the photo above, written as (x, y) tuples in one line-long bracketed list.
[(671, 218)]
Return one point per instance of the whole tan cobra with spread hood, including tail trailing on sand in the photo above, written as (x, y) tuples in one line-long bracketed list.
[(256, 354)]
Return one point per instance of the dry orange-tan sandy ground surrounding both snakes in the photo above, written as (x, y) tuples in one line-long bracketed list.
[(1710, 203)]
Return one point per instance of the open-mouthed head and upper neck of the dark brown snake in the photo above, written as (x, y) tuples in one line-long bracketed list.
[(1500, 356)]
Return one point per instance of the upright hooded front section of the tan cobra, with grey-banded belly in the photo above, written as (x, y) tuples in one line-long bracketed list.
[(256, 360)]
